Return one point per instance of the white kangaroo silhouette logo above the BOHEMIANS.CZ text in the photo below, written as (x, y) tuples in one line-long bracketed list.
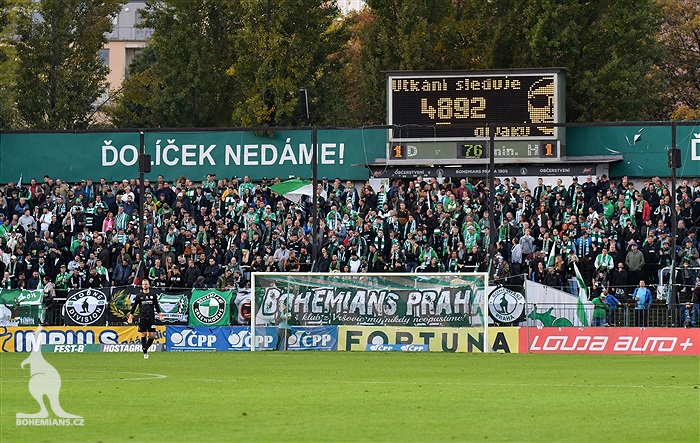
[(44, 380)]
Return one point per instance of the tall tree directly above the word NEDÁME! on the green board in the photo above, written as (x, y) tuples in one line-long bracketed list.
[(285, 45)]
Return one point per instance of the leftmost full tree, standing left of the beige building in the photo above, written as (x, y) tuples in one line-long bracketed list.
[(60, 74)]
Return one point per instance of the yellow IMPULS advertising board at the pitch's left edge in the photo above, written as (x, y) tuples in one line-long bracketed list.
[(18, 339)]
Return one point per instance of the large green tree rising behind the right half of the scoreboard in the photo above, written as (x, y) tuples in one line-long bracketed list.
[(609, 49)]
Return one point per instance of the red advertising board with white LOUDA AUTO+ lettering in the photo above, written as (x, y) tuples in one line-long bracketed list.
[(655, 341)]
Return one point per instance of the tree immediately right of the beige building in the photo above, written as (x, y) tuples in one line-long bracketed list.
[(182, 80)]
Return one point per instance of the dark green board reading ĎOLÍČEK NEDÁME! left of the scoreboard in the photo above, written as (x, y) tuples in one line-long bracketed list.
[(193, 154)]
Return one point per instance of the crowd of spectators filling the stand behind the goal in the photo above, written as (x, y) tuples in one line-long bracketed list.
[(213, 233)]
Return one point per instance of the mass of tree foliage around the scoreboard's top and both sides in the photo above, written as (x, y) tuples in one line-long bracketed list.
[(608, 48)]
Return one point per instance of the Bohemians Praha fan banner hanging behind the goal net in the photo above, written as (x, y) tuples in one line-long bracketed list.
[(439, 306)]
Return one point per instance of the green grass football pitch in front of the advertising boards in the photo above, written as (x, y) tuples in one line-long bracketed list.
[(343, 396)]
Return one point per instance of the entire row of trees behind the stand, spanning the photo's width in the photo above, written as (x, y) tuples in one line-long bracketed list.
[(216, 63)]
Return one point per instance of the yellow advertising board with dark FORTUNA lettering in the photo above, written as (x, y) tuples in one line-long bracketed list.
[(359, 338)]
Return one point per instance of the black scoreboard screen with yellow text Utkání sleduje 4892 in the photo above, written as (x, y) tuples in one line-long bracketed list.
[(461, 105)]
